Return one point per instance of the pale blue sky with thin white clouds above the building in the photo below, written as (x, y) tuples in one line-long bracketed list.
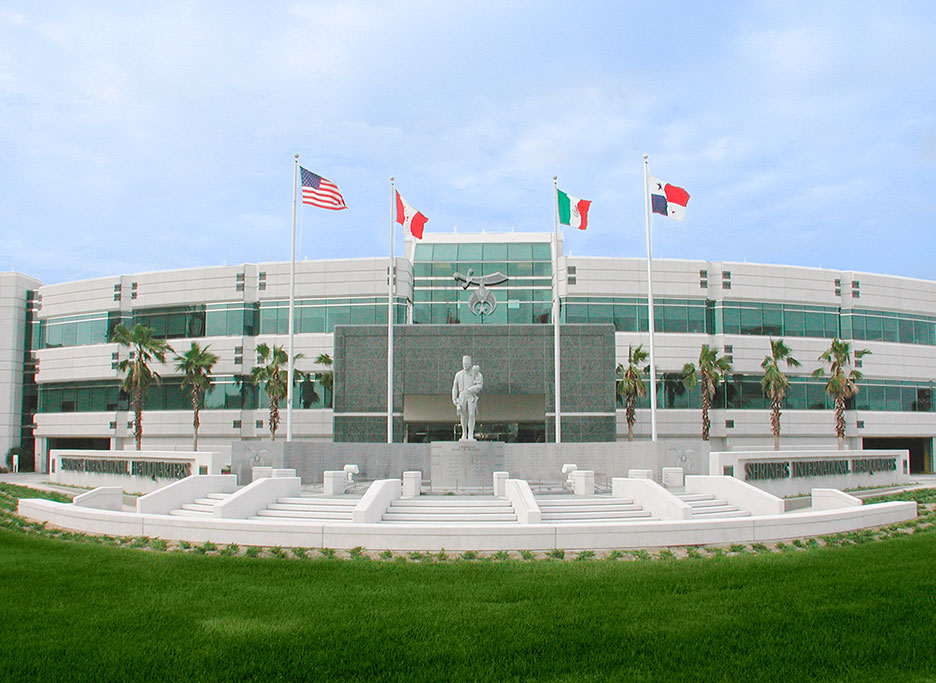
[(153, 136)]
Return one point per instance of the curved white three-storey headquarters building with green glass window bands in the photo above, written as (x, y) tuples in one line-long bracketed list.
[(60, 386)]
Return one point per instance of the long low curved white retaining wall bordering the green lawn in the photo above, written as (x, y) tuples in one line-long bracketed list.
[(461, 537)]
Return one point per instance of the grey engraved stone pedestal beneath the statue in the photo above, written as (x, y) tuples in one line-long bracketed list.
[(465, 464)]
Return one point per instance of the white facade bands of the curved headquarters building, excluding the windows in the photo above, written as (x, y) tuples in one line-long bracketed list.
[(364, 280)]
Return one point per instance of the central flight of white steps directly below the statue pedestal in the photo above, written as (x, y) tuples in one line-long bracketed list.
[(450, 510)]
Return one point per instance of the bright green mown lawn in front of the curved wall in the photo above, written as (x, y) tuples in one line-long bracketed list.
[(85, 611)]
